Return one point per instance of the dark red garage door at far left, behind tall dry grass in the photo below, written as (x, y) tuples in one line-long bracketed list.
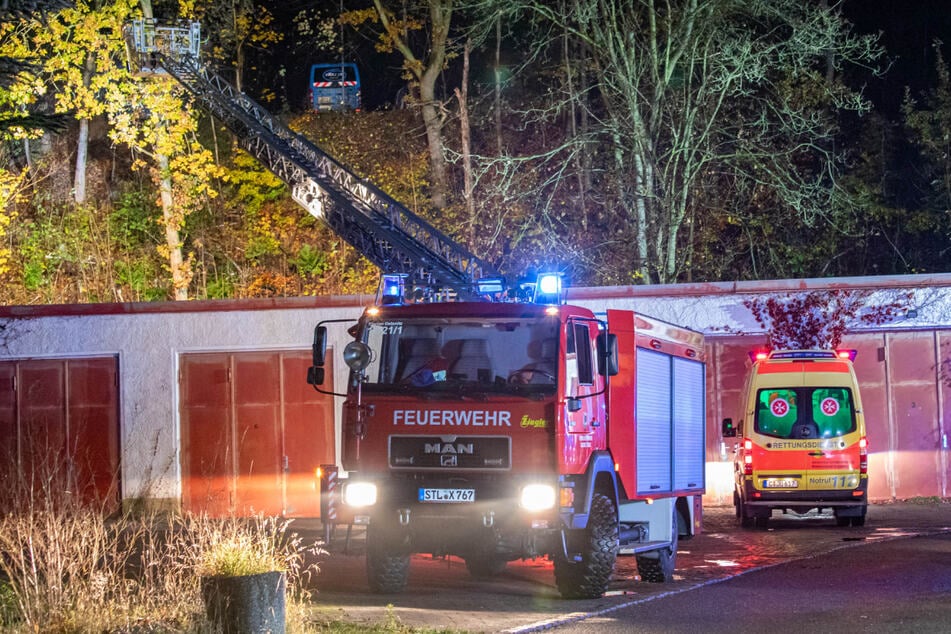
[(59, 431)]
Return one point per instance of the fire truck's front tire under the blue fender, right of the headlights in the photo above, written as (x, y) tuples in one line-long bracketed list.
[(598, 547)]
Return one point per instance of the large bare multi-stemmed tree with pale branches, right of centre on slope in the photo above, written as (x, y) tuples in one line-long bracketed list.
[(690, 88)]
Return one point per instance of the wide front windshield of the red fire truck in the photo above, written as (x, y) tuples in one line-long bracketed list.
[(446, 353)]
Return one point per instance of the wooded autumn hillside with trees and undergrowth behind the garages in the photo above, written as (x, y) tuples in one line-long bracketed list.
[(720, 140)]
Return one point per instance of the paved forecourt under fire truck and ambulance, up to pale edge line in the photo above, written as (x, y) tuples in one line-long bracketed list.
[(441, 594)]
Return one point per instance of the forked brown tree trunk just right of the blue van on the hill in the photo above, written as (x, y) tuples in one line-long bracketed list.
[(423, 68)]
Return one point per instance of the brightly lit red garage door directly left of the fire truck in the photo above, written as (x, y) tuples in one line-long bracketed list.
[(253, 434)]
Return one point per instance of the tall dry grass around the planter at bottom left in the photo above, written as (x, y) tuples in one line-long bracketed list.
[(68, 566)]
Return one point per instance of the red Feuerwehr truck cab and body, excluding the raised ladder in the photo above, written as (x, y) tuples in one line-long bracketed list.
[(497, 431)]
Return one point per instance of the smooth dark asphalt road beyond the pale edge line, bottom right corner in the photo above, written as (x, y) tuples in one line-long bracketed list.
[(894, 586)]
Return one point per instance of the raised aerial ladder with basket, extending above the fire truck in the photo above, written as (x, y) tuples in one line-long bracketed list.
[(384, 231)]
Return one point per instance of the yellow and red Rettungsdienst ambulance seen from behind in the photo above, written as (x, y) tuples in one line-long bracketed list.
[(803, 437)]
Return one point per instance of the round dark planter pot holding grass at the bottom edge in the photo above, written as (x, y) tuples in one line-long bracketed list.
[(250, 604)]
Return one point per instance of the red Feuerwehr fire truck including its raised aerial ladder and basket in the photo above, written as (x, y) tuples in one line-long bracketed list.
[(487, 428)]
